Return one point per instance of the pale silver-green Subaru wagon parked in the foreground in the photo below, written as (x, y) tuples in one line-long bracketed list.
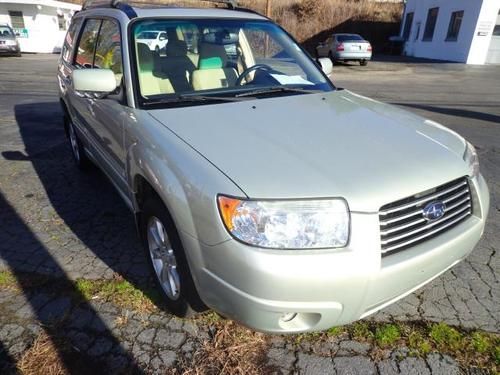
[(259, 189)]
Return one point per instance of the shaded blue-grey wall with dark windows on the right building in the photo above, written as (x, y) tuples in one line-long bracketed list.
[(439, 48)]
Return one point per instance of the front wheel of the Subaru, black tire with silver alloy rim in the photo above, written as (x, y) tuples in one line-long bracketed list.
[(167, 260)]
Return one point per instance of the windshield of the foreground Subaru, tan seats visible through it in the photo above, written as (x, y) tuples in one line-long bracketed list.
[(223, 58)]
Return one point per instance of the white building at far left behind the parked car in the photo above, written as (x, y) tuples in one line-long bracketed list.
[(41, 24)]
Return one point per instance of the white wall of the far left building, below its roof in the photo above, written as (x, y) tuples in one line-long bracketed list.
[(43, 30)]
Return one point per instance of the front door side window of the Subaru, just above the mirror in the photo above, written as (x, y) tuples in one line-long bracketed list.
[(108, 54)]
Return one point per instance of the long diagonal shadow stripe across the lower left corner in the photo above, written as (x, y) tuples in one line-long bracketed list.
[(54, 314)]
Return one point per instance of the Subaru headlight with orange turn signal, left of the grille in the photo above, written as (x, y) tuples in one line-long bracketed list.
[(296, 224)]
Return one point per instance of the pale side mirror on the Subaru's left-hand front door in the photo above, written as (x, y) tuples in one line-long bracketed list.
[(101, 81)]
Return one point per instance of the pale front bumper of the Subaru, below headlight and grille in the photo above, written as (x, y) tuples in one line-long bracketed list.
[(326, 287)]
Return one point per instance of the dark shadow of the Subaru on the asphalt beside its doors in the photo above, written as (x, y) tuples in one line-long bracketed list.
[(85, 200)]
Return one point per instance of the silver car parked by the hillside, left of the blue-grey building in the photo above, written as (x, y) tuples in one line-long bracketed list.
[(346, 47)]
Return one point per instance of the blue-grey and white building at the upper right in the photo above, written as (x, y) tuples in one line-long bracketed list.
[(466, 31)]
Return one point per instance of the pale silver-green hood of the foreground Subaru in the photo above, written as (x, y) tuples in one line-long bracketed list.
[(335, 144)]
